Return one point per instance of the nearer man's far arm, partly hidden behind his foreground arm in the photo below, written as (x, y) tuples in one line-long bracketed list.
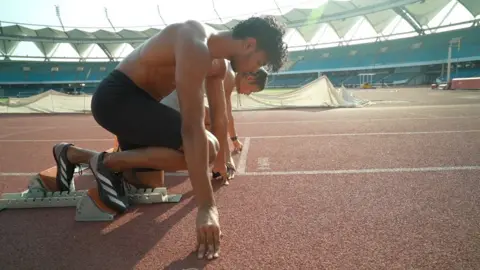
[(218, 115)]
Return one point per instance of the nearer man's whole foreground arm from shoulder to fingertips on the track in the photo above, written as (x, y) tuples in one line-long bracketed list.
[(193, 60)]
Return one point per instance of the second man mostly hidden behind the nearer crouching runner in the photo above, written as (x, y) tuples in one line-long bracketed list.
[(243, 83)]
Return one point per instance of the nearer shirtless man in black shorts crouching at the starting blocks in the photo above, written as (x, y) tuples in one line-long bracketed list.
[(191, 58)]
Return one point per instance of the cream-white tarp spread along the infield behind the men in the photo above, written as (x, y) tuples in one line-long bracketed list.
[(319, 93)]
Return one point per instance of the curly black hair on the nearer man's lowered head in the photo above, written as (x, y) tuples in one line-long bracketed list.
[(268, 32)]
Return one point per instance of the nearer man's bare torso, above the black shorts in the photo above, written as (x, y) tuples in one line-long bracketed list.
[(152, 65)]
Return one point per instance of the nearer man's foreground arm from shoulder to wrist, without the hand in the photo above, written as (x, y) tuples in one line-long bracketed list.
[(192, 63)]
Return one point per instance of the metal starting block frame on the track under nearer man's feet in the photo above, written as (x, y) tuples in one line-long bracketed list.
[(86, 210)]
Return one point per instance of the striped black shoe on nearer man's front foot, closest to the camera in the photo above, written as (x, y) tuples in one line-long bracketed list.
[(111, 187)]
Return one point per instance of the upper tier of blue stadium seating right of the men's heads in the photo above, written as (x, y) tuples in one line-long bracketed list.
[(431, 48)]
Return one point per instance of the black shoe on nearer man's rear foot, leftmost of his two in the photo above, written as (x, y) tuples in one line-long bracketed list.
[(65, 168)]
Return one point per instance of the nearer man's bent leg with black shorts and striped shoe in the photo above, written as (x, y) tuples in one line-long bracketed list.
[(135, 117)]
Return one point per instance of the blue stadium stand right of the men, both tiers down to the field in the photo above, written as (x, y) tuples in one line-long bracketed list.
[(409, 61)]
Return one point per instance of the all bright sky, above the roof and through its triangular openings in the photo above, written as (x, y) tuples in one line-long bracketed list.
[(89, 15)]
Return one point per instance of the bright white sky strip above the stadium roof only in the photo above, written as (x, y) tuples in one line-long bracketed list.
[(91, 13)]
